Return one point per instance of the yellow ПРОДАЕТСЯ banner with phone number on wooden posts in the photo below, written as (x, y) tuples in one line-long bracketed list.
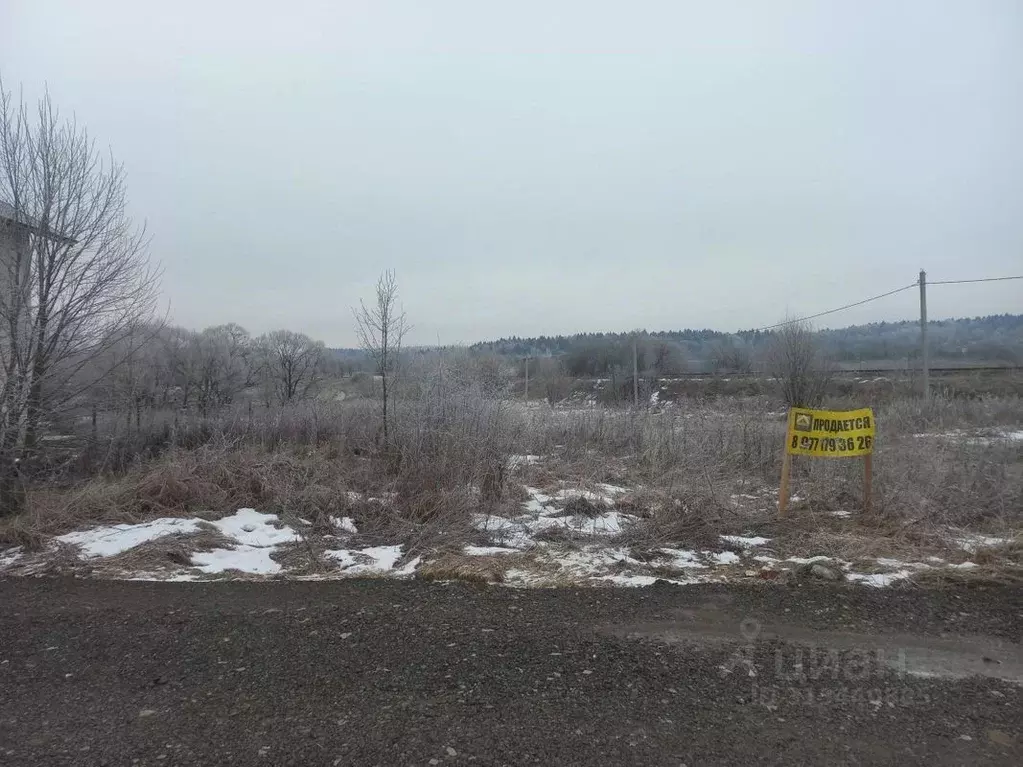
[(831, 434)]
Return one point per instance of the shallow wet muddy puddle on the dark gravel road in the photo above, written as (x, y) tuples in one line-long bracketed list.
[(947, 658)]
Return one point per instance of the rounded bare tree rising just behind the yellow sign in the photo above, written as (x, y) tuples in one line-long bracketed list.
[(794, 358)]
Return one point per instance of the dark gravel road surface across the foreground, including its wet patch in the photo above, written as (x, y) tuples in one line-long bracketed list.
[(409, 673)]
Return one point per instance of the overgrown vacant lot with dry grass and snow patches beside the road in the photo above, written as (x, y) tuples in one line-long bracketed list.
[(474, 486)]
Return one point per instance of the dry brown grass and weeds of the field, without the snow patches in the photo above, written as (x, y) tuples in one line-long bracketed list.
[(449, 462)]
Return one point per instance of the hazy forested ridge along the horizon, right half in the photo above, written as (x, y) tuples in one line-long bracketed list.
[(993, 340)]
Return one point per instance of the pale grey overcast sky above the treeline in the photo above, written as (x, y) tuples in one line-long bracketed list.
[(552, 167)]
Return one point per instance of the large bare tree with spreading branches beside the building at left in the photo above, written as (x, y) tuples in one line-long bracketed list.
[(76, 283)]
